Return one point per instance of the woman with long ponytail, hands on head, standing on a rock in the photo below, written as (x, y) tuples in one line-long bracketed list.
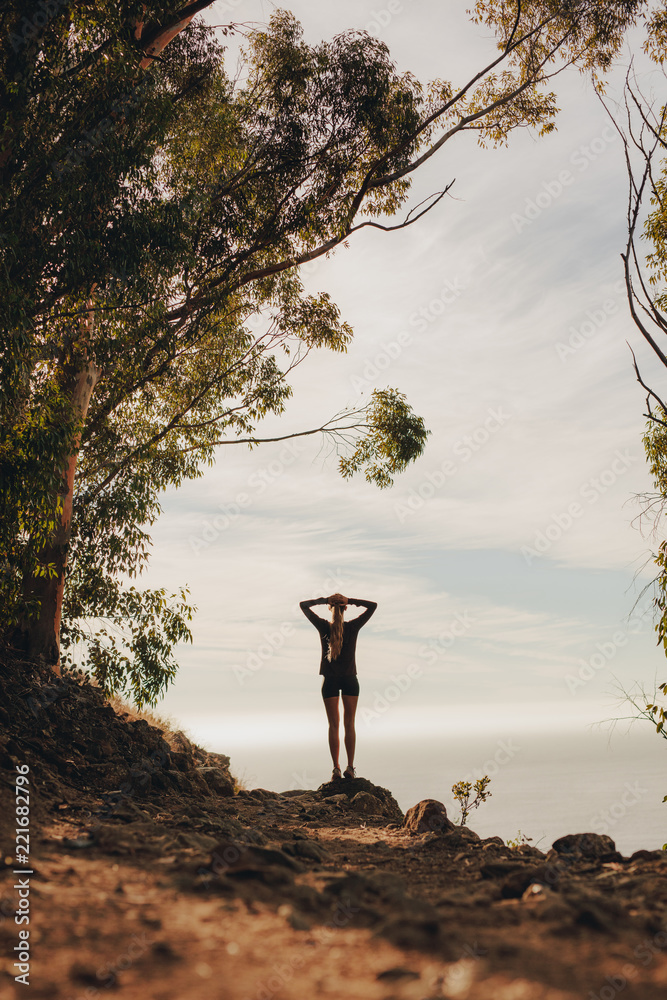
[(338, 666)]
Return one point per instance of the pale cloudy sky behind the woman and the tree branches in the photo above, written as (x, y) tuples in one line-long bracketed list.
[(507, 562)]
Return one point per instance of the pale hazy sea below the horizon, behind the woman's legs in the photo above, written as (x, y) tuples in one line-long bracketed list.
[(542, 786)]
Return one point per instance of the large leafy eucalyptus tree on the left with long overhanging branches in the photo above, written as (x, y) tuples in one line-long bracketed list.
[(154, 213)]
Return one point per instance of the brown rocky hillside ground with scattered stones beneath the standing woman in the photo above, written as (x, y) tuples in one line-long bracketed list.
[(153, 877)]
